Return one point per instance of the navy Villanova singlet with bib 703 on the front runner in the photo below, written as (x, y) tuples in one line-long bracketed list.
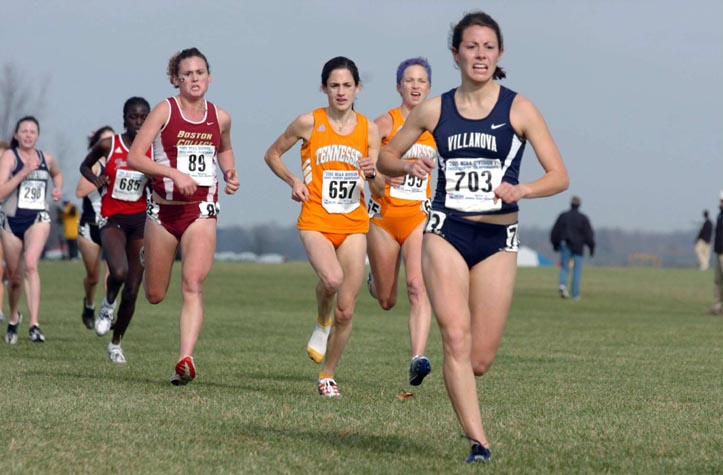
[(475, 156)]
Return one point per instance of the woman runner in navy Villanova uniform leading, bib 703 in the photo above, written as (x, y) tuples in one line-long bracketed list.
[(469, 255)]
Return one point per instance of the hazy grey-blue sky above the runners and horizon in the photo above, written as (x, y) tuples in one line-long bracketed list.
[(632, 91)]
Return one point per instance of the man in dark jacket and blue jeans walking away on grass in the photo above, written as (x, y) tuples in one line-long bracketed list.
[(571, 232)]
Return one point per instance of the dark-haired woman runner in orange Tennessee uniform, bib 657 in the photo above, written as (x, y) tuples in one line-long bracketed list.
[(339, 150)]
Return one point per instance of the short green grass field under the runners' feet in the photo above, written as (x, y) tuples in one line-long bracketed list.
[(627, 380)]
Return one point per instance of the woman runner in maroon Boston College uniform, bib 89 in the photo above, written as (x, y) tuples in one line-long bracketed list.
[(189, 136)]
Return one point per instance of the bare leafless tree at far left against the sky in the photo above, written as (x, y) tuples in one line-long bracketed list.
[(19, 96)]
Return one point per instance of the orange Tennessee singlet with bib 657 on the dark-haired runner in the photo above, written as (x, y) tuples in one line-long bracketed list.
[(330, 164)]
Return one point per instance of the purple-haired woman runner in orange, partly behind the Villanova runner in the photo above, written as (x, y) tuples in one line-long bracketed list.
[(398, 212)]
